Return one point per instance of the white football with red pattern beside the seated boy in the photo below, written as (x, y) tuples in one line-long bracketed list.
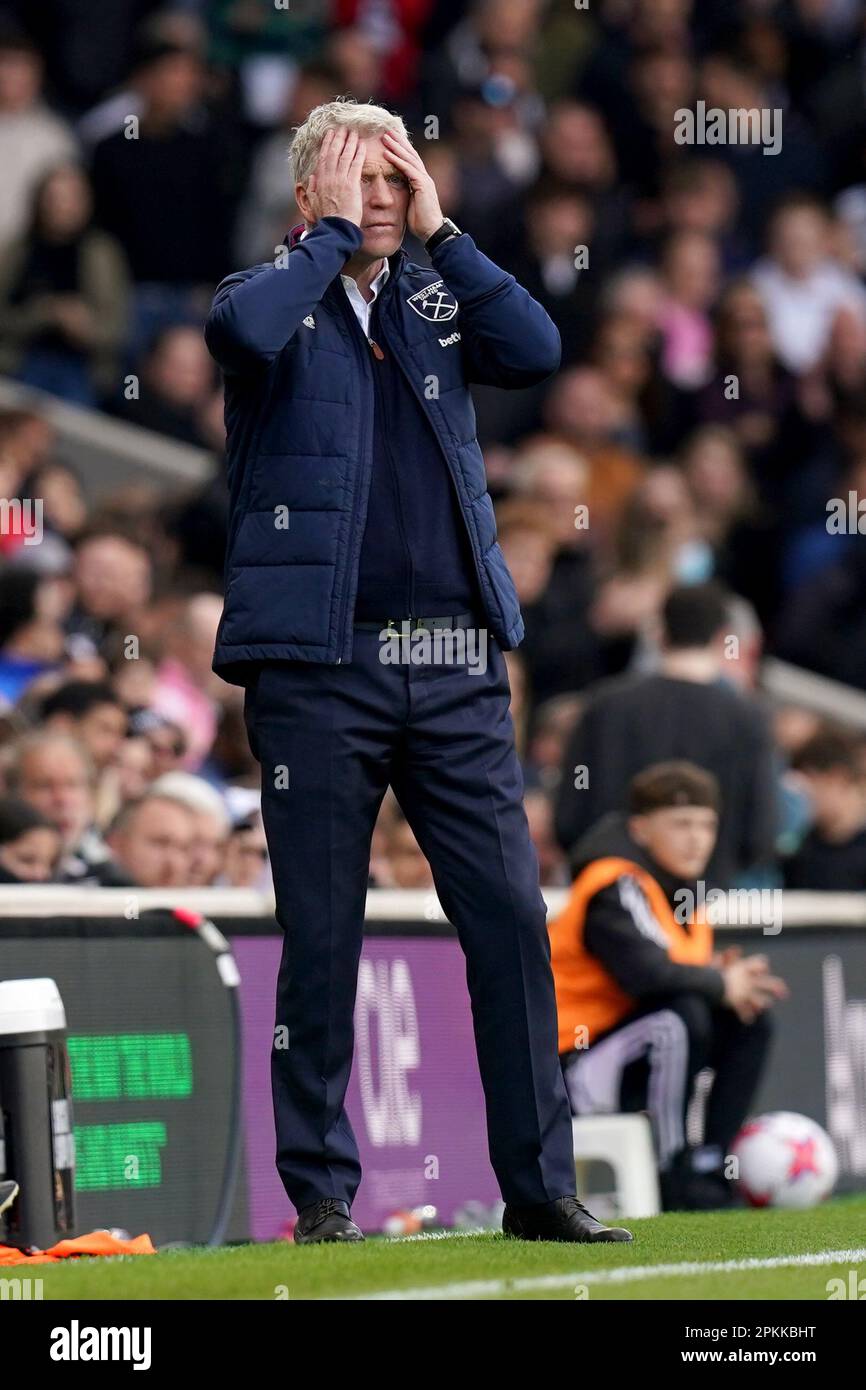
[(786, 1160)]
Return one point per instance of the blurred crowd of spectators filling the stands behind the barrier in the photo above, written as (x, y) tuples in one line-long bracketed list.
[(662, 504)]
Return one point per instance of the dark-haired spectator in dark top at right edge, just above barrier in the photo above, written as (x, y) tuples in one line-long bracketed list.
[(832, 857)]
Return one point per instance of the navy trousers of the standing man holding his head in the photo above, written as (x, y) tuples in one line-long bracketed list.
[(330, 740)]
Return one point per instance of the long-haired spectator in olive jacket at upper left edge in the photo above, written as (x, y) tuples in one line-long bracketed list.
[(63, 295)]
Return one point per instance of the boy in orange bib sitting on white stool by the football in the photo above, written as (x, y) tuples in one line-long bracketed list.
[(644, 1001)]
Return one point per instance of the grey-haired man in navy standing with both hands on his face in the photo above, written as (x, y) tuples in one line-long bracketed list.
[(359, 508)]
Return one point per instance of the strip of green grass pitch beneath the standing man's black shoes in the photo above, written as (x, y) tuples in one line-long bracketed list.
[(772, 1254)]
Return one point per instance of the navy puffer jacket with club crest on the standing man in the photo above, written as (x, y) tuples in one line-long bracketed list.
[(300, 414)]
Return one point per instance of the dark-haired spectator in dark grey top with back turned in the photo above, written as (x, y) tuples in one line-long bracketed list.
[(683, 711)]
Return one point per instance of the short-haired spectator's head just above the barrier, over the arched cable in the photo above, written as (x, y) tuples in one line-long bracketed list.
[(152, 844)]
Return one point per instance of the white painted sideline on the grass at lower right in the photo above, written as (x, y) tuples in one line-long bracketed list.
[(480, 1288)]
